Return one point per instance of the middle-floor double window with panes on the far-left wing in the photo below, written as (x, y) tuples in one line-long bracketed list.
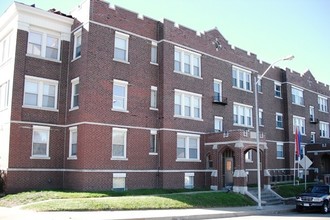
[(40, 93)]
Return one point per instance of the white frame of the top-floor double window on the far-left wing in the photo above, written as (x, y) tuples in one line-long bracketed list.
[(44, 37)]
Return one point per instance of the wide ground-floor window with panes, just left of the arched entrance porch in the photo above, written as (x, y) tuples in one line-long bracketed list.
[(187, 147)]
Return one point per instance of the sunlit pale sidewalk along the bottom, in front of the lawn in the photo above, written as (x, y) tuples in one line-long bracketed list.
[(17, 214)]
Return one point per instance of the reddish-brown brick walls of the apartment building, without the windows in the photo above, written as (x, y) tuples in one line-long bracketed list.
[(93, 167)]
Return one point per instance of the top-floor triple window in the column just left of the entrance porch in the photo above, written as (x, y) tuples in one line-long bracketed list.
[(187, 62)]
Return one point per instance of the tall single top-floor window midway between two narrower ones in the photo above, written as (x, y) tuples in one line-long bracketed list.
[(121, 47)]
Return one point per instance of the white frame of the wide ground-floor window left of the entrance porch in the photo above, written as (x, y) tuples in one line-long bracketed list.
[(186, 147)]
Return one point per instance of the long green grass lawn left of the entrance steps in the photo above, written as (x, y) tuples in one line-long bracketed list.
[(134, 200)]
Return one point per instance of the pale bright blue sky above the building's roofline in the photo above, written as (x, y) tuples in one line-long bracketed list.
[(272, 29)]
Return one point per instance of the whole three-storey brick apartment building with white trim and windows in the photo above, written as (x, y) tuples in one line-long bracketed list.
[(108, 99)]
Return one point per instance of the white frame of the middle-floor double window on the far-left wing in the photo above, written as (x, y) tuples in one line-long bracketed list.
[(41, 82)]
